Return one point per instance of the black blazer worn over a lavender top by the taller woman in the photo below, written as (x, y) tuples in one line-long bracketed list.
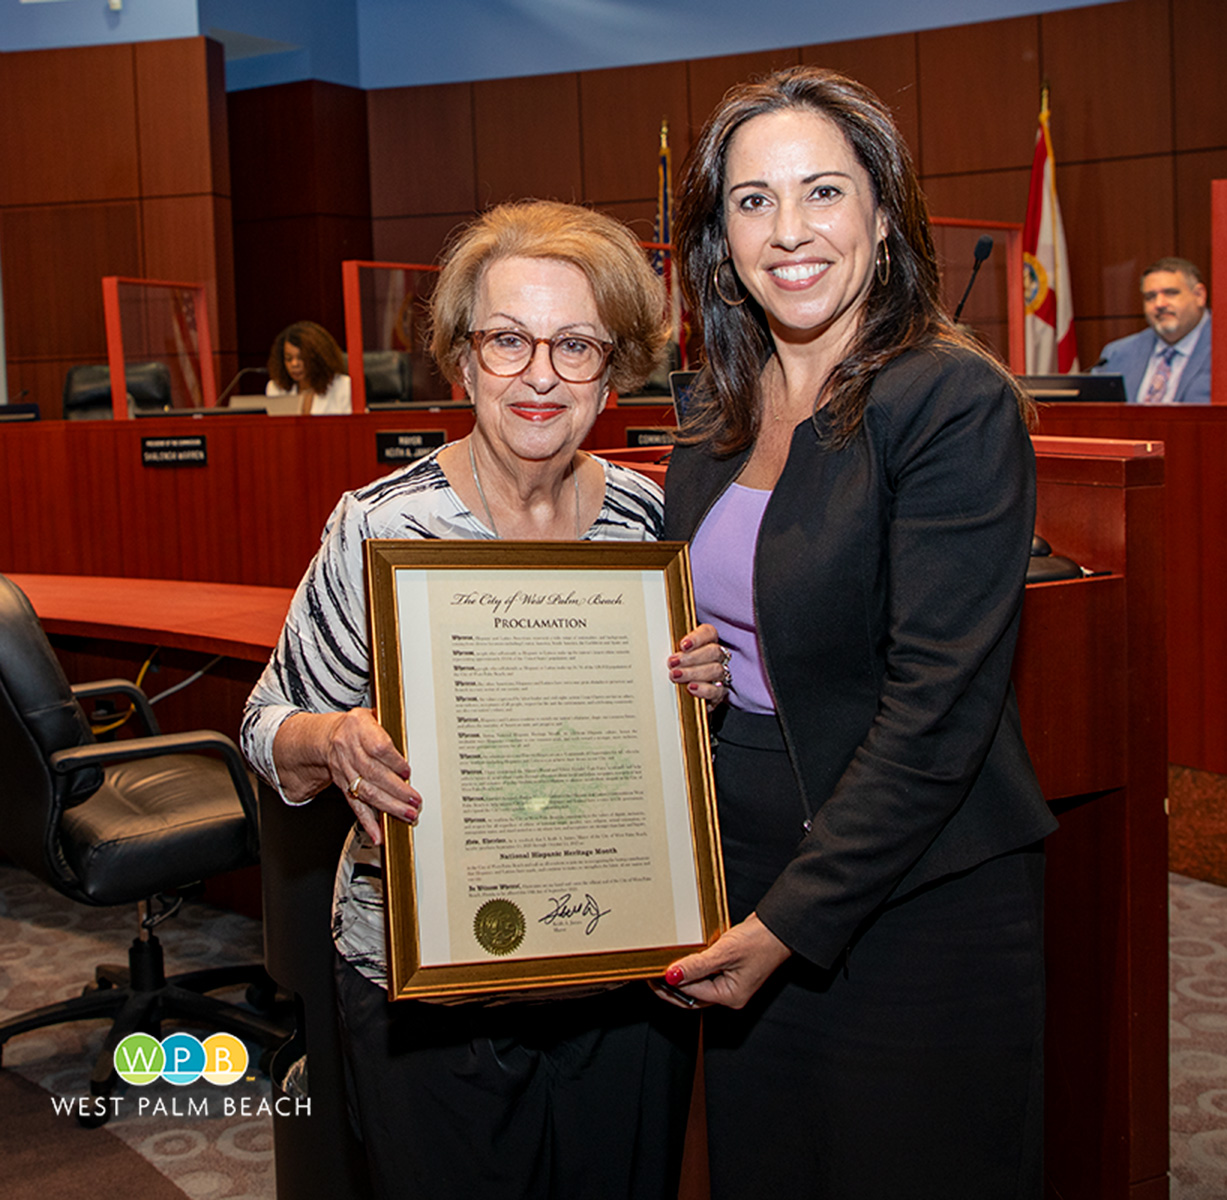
[(889, 583)]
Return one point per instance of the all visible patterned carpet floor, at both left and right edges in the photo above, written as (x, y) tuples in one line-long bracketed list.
[(46, 942)]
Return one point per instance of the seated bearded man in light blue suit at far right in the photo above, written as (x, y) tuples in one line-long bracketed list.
[(1170, 363)]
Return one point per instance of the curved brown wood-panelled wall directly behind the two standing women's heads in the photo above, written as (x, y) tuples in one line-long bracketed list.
[(1138, 126)]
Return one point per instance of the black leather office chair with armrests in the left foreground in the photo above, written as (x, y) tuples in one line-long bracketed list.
[(117, 824)]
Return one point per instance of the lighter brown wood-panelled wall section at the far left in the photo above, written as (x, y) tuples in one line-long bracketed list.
[(113, 161)]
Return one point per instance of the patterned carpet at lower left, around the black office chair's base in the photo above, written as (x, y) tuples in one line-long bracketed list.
[(48, 950)]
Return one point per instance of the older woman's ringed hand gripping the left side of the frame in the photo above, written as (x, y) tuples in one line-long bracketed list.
[(354, 752)]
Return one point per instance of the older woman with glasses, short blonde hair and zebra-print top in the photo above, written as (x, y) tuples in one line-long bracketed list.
[(540, 311)]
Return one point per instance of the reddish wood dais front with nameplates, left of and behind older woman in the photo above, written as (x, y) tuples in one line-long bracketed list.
[(75, 499)]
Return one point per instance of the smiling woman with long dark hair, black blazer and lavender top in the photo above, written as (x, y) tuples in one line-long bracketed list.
[(858, 484)]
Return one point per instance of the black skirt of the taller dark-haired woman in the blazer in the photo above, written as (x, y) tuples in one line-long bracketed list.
[(914, 1068)]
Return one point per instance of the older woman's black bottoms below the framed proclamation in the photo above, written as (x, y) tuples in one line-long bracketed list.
[(534, 1101)]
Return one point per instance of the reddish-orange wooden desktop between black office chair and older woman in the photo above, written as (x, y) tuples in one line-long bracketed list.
[(236, 620)]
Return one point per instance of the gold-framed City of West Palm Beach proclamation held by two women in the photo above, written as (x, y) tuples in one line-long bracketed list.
[(569, 831)]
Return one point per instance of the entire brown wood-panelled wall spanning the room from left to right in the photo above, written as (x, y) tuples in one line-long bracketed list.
[(121, 160)]
